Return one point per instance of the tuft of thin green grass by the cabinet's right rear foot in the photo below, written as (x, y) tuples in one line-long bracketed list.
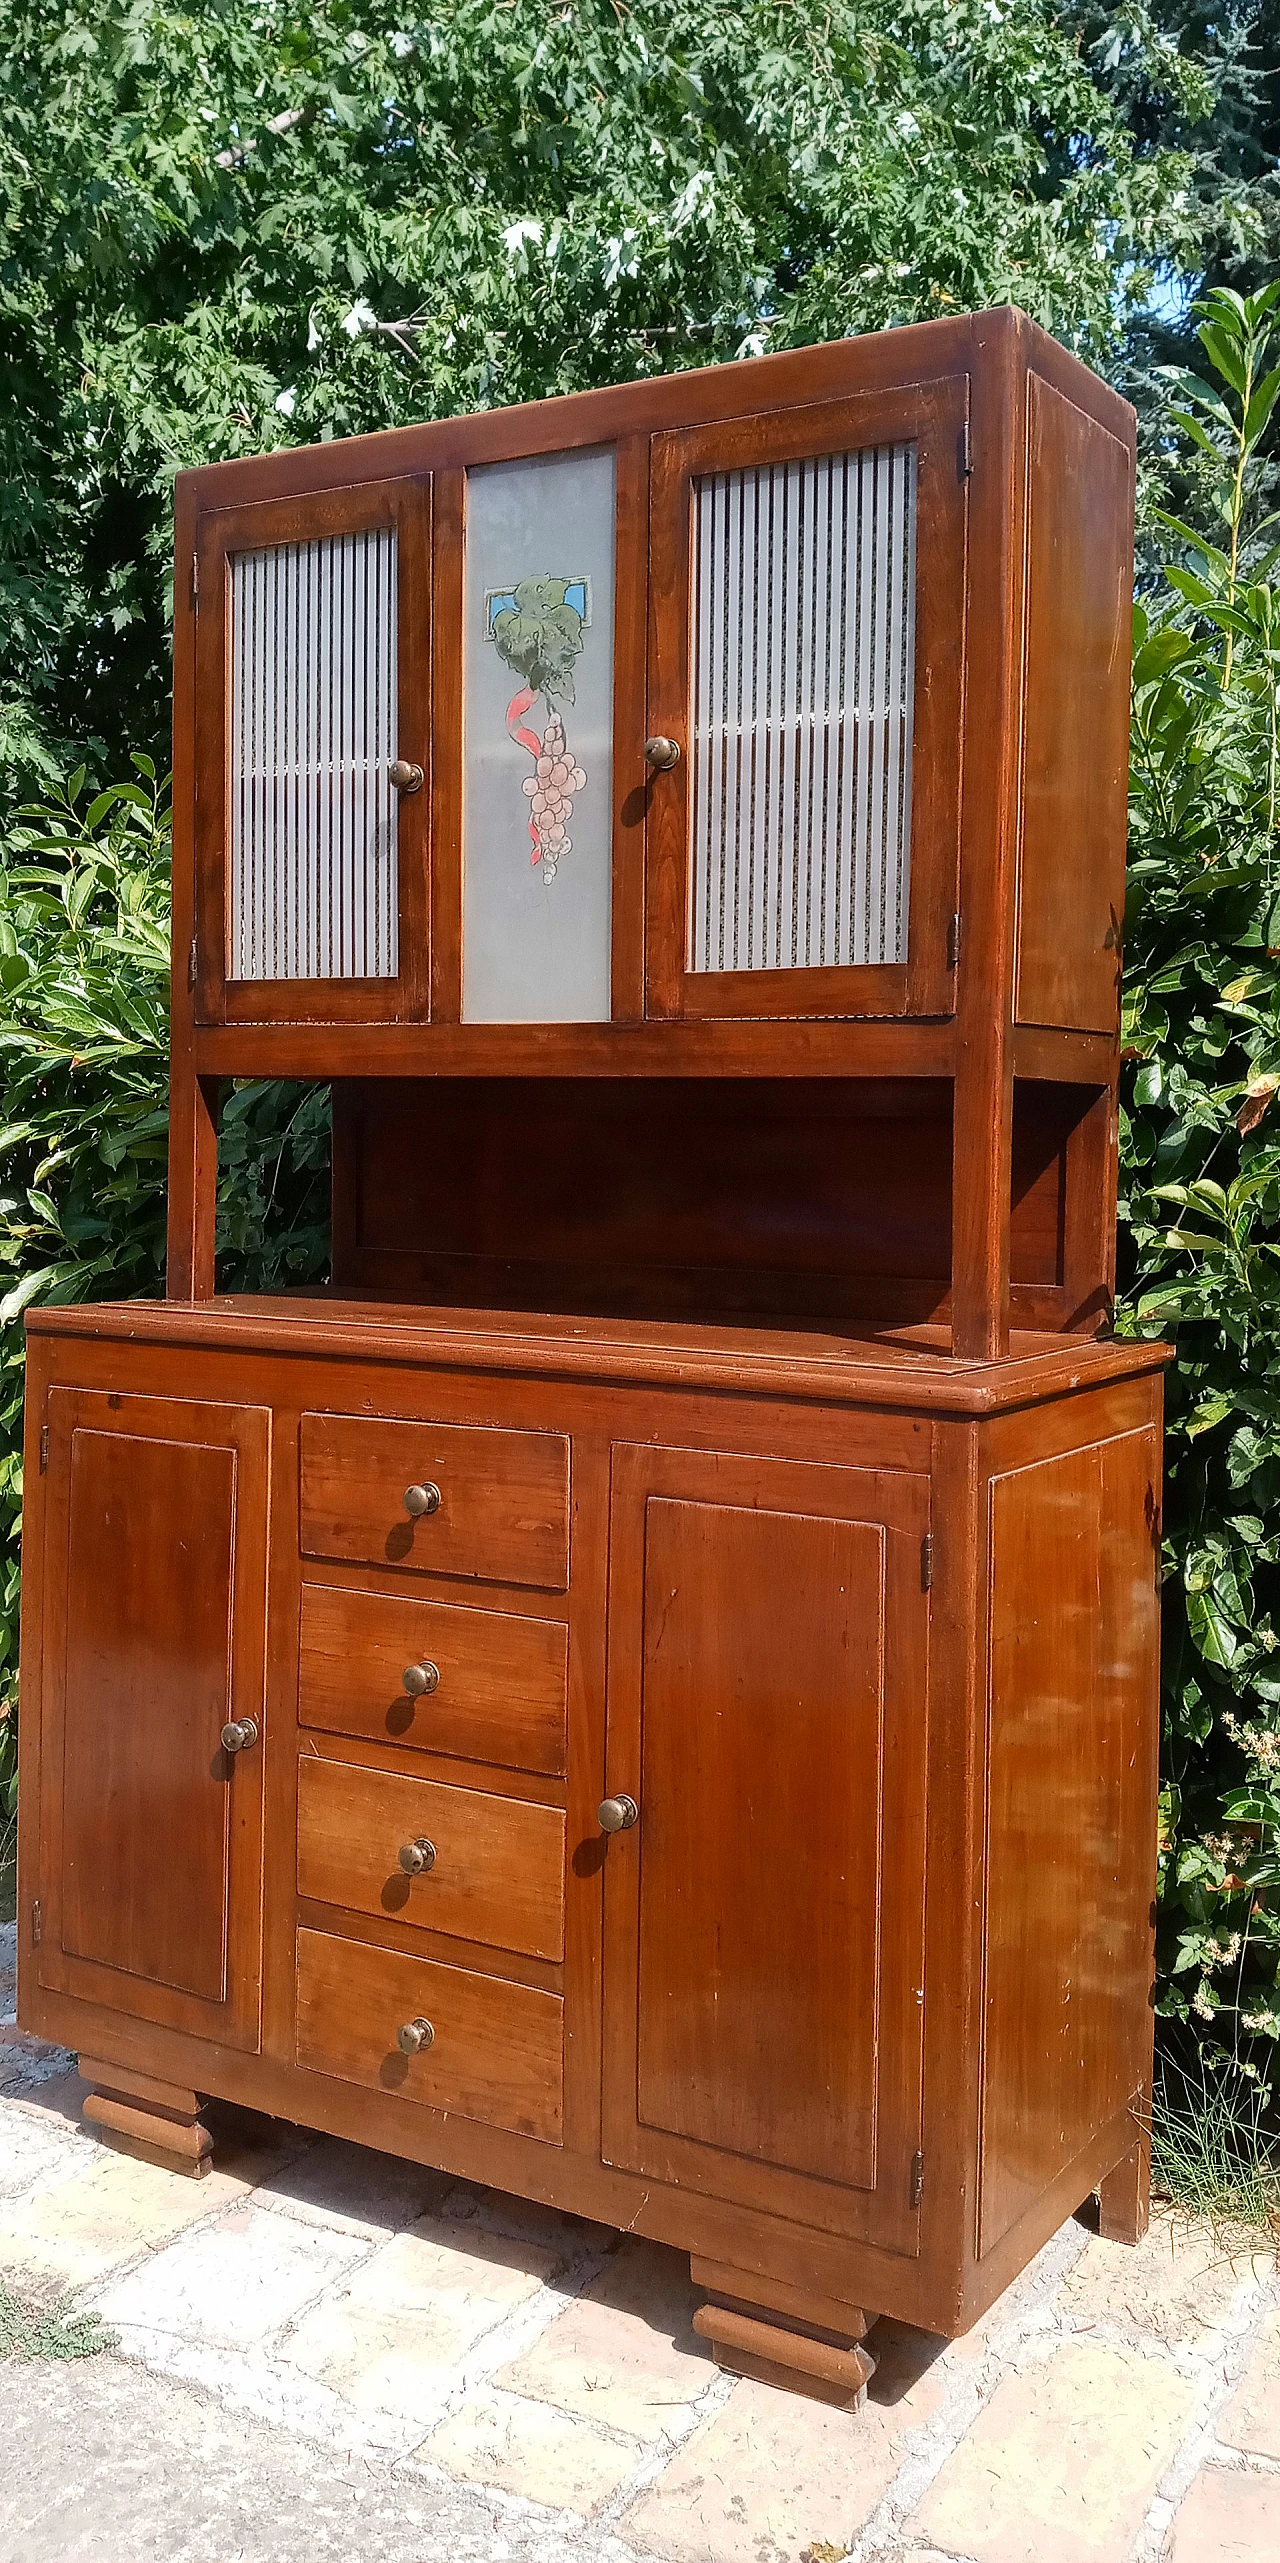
[(1217, 2139)]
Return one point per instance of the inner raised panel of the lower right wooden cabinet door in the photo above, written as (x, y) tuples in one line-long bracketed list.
[(761, 1865)]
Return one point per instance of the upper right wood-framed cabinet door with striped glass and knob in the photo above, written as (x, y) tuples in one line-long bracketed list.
[(807, 660)]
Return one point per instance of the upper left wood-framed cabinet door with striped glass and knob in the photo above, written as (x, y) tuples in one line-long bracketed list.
[(314, 757)]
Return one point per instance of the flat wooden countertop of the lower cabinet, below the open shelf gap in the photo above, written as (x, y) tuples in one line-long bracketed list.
[(835, 1365)]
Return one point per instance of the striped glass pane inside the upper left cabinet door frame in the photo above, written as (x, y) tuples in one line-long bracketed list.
[(314, 878)]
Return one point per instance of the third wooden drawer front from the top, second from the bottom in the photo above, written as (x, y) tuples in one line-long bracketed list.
[(499, 1870)]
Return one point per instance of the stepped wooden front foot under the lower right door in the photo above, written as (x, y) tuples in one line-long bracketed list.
[(784, 2336)]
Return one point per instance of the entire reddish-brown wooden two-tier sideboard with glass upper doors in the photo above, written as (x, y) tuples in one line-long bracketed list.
[(645, 1690)]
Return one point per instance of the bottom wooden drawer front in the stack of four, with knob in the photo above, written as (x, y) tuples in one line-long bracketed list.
[(496, 2057)]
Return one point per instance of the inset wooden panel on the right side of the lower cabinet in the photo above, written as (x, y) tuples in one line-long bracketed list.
[(1071, 1813)]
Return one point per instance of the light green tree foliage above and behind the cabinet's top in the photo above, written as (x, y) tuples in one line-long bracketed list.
[(242, 227)]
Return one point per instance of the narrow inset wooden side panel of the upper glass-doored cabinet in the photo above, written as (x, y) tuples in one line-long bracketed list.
[(1076, 721)]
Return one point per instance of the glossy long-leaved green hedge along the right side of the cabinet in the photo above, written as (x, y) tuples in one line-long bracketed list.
[(1202, 1183)]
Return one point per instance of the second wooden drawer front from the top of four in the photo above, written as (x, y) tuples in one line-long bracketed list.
[(499, 1695)]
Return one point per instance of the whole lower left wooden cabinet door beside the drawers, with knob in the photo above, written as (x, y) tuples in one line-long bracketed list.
[(153, 1834)]
